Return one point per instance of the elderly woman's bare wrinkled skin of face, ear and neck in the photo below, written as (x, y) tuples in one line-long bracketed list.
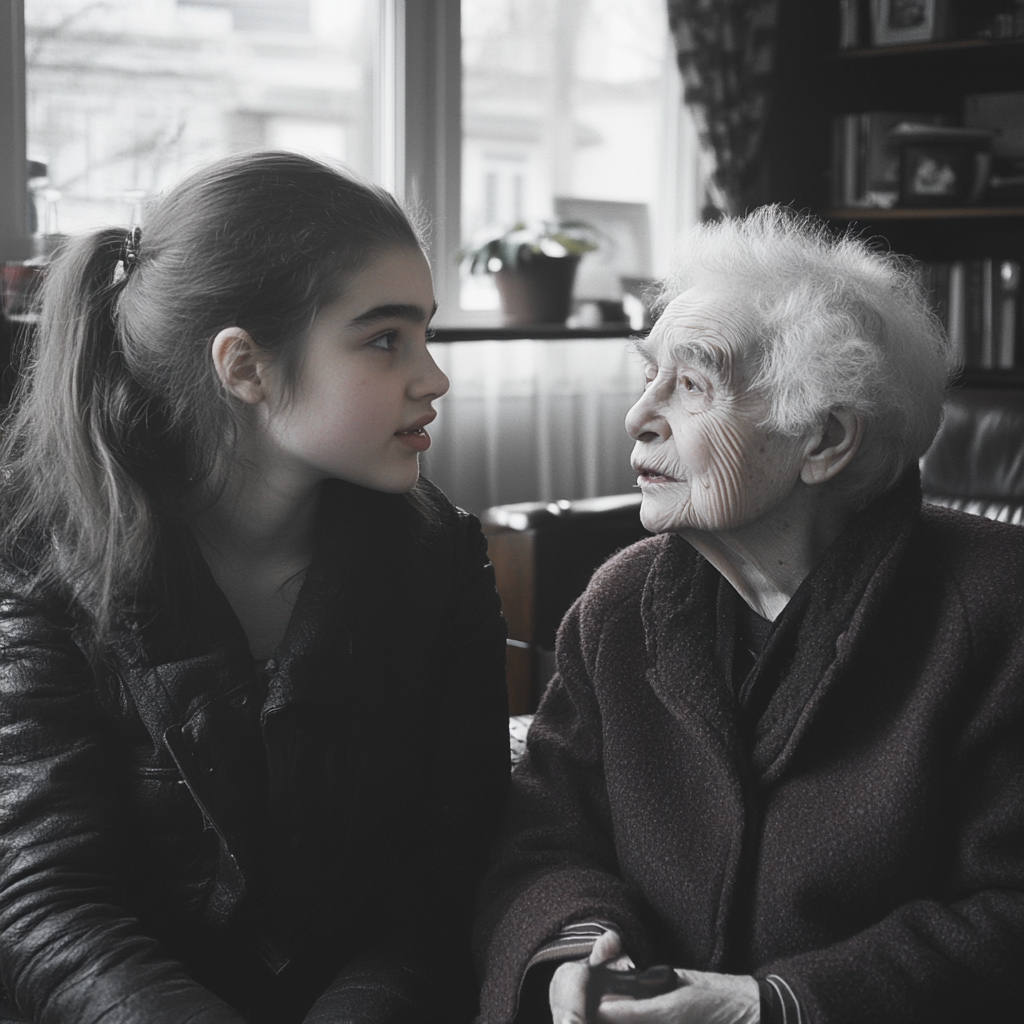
[(760, 506)]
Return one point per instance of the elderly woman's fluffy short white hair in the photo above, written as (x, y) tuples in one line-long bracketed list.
[(838, 324)]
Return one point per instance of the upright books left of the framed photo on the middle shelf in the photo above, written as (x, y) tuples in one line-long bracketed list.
[(866, 163)]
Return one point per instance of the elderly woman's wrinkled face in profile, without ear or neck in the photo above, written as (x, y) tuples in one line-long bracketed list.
[(703, 461)]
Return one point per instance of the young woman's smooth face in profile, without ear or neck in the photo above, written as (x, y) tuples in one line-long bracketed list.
[(366, 382)]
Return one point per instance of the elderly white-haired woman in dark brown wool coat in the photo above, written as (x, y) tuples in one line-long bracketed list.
[(785, 749)]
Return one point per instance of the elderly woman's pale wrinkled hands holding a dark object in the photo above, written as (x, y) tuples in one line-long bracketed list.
[(702, 999)]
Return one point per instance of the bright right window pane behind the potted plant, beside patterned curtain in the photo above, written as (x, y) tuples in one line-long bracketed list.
[(565, 107)]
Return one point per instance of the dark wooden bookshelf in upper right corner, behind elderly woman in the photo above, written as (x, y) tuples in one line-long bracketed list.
[(819, 83)]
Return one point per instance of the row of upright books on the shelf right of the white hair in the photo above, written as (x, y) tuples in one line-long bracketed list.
[(979, 303)]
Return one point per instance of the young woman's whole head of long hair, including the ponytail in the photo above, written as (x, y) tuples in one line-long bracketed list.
[(121, 415)]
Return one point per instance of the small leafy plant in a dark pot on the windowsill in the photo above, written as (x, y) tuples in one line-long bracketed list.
[(534, 266)]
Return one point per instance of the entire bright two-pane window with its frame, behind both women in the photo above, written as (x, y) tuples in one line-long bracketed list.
[(566, 102)]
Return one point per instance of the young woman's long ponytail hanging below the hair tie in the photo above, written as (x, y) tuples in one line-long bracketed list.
[(73, 510)]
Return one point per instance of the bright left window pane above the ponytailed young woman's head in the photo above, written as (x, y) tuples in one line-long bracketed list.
[(124, 97)]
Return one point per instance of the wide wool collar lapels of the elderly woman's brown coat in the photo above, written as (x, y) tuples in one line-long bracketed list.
[(812, 647)]
